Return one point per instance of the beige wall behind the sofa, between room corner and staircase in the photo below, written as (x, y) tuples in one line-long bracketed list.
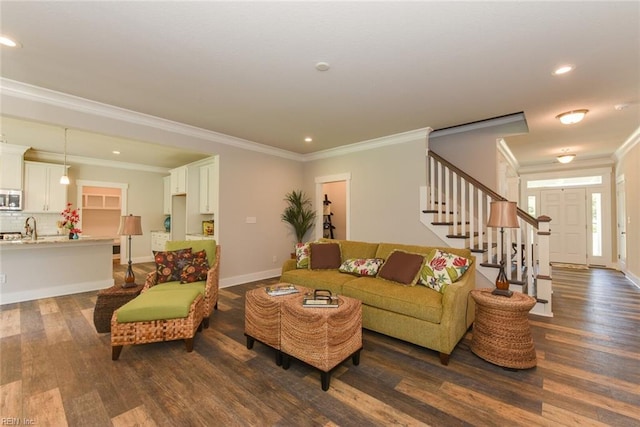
[(384, 193)]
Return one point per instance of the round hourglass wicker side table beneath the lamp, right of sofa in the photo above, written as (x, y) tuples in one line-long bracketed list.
[(501, 332)]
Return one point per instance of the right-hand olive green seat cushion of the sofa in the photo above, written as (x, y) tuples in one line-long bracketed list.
[(413, 301)]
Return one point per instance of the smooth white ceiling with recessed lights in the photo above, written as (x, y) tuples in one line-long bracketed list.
[(247, 69)]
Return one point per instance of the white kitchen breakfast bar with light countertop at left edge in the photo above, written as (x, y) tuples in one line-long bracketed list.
[(53, 266)]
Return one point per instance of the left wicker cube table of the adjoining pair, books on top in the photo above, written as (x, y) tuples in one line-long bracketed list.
[(262, 318)]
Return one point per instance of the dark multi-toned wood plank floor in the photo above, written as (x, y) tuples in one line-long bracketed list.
[(56, 370)]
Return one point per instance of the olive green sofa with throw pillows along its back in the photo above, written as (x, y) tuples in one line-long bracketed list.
[(417, 314)]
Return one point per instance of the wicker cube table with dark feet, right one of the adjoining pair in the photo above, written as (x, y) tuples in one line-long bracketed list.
[(321, 337)]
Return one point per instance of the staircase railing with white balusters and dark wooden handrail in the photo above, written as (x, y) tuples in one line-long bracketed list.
[(456, 208)]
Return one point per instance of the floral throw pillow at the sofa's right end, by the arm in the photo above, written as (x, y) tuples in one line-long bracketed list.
[(442, 269)]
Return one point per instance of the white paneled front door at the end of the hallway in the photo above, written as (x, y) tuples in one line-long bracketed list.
[(567, 210)]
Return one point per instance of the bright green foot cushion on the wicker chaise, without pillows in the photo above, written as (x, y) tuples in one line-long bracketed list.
[(150, 306)]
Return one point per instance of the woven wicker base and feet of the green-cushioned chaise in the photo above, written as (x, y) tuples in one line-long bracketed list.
[(157, 330)]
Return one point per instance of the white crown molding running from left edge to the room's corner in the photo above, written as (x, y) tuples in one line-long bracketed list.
[(70, 102)]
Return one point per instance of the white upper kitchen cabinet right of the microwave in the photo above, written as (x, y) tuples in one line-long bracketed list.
[(42, 189)]
